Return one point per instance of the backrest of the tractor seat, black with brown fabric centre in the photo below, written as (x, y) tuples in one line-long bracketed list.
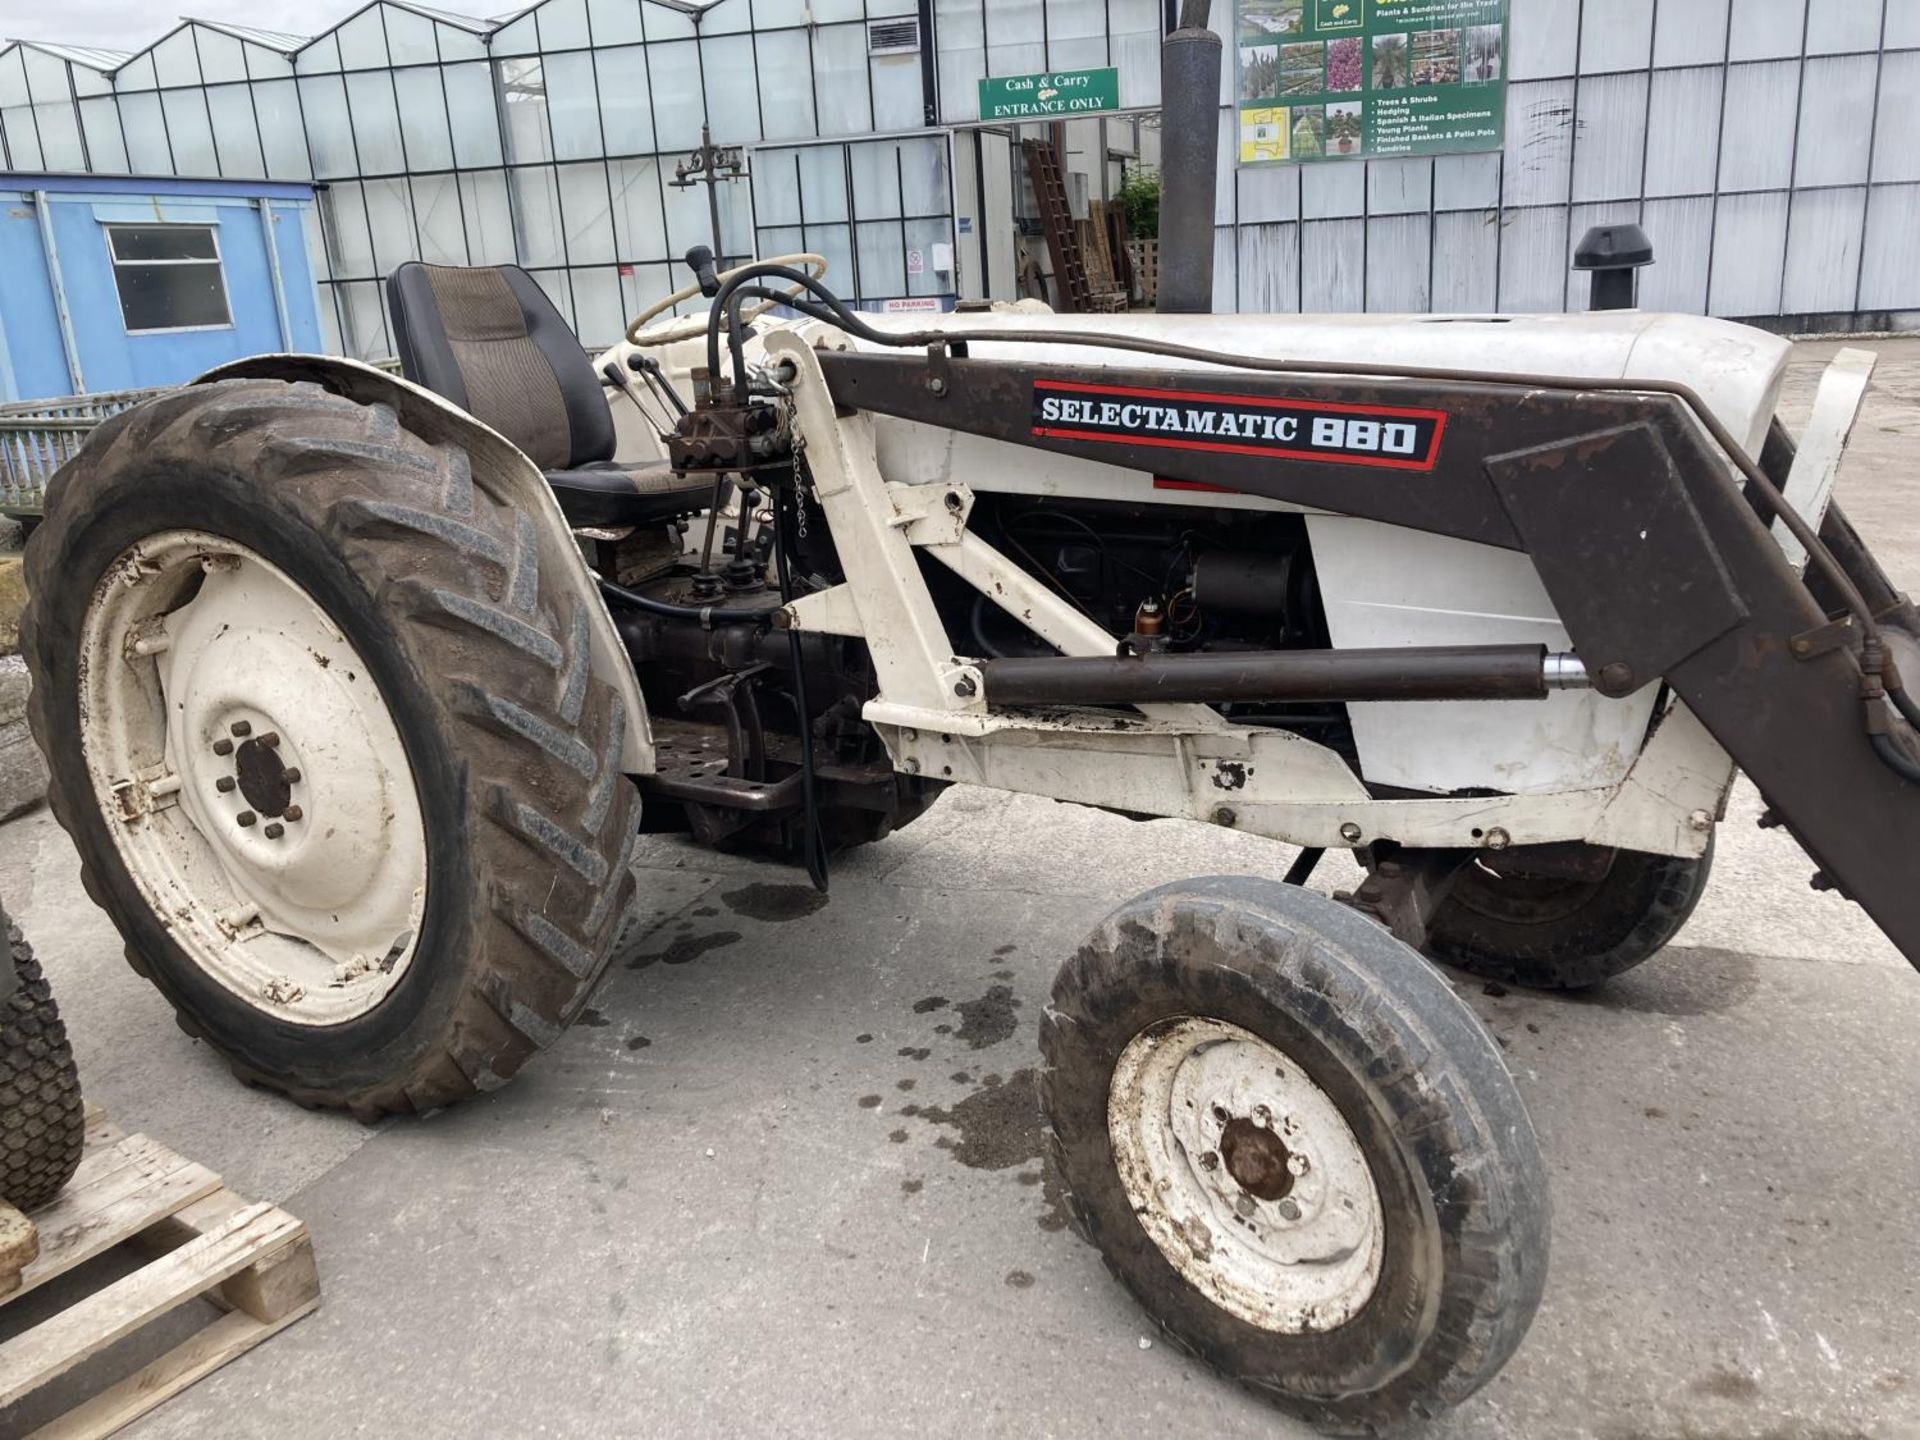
[(491, 341)]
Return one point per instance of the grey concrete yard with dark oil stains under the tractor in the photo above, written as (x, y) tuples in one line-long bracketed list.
[(784, 1180)]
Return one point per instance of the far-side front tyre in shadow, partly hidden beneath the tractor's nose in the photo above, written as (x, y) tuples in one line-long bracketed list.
[(1558, 932)]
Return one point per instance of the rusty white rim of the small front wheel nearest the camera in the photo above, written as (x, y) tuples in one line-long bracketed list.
[(1247, 1176)]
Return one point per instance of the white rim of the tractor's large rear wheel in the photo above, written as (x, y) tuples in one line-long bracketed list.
[(214, 688)]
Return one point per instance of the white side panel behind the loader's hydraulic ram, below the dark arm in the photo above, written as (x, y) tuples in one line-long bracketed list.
[(1387, 587)]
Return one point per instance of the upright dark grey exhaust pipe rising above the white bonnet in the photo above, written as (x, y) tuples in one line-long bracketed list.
[(1189, 162)]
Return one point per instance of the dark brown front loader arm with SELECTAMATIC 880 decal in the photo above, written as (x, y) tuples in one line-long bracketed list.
[(1633, 516)]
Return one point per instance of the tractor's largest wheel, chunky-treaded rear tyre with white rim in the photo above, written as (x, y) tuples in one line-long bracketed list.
[(322, 725)]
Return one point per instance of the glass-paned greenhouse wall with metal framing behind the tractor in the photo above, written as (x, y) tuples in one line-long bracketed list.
[(1769, 147)]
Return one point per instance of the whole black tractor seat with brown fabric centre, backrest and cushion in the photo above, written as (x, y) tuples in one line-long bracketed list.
[(491, 341)]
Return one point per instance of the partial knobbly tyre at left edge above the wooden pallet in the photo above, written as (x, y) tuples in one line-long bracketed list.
[(43, 1124)]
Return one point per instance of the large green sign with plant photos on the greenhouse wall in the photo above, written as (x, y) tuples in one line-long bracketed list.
[(1370, 80)]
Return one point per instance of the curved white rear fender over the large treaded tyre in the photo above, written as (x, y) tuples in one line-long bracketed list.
[(504, 471)]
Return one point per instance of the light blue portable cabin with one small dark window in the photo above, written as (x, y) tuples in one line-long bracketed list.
[(124, 283)]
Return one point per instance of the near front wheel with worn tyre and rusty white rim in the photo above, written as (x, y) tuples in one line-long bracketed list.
[(1297, 1149)]
